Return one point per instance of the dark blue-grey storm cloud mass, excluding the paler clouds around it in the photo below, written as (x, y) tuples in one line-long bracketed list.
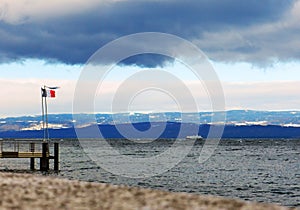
[(73, 39)]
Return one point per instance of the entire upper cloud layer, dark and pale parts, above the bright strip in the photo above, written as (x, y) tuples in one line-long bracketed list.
[(70, 31)]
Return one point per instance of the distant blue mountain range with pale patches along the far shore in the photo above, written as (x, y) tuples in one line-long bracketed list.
[(239, 124)]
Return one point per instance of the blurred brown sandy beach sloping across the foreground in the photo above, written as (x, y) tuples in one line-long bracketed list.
[(27, 191)]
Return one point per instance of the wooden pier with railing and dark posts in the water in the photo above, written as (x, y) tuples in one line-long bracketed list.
[(16, 147)]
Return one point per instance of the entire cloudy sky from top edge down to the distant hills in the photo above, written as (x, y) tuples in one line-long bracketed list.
[(254, 47)]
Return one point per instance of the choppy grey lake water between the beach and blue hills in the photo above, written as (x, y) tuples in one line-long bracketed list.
[(251, 169)]
